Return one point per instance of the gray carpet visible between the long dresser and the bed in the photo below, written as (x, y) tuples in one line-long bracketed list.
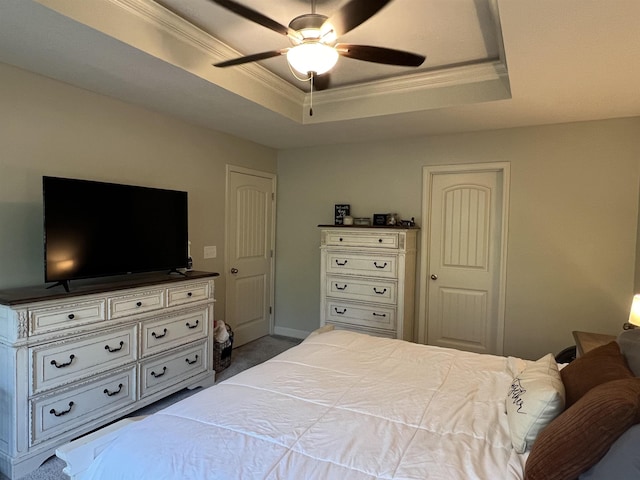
[(242, 358)]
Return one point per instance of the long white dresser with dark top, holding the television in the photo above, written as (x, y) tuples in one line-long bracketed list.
[(72, 362)]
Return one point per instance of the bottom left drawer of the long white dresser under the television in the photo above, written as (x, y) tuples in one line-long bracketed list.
[(55, 414)]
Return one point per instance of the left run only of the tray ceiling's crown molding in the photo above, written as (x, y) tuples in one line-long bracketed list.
[(151, 28)]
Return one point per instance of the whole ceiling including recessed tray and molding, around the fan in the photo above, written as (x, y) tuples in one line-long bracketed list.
[(563, 61)]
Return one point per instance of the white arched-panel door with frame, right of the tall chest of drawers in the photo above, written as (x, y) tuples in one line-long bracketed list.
[(465, 256)]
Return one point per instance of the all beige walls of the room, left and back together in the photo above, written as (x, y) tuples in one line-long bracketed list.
[(574, 199)]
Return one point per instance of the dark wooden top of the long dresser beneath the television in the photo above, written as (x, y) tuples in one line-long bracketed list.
[(22, 295)]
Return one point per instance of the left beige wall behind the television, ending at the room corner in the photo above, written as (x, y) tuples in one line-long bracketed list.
[(50, 128)]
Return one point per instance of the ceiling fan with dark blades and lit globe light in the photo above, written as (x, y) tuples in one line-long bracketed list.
[(313, 37)]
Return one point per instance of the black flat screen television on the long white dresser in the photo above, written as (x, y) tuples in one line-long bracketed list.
[(96, 229)]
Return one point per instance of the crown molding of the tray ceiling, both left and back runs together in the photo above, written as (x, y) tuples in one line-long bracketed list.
[(143, 23)]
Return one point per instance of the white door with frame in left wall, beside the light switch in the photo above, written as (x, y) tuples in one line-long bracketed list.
[(249, 257)]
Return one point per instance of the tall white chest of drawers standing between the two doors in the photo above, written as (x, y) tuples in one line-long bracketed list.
[(367, 279)]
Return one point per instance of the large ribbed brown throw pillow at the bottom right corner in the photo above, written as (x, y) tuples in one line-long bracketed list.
[(578, 438)]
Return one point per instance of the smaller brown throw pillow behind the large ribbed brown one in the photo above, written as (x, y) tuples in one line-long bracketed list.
[(595, 367)]
